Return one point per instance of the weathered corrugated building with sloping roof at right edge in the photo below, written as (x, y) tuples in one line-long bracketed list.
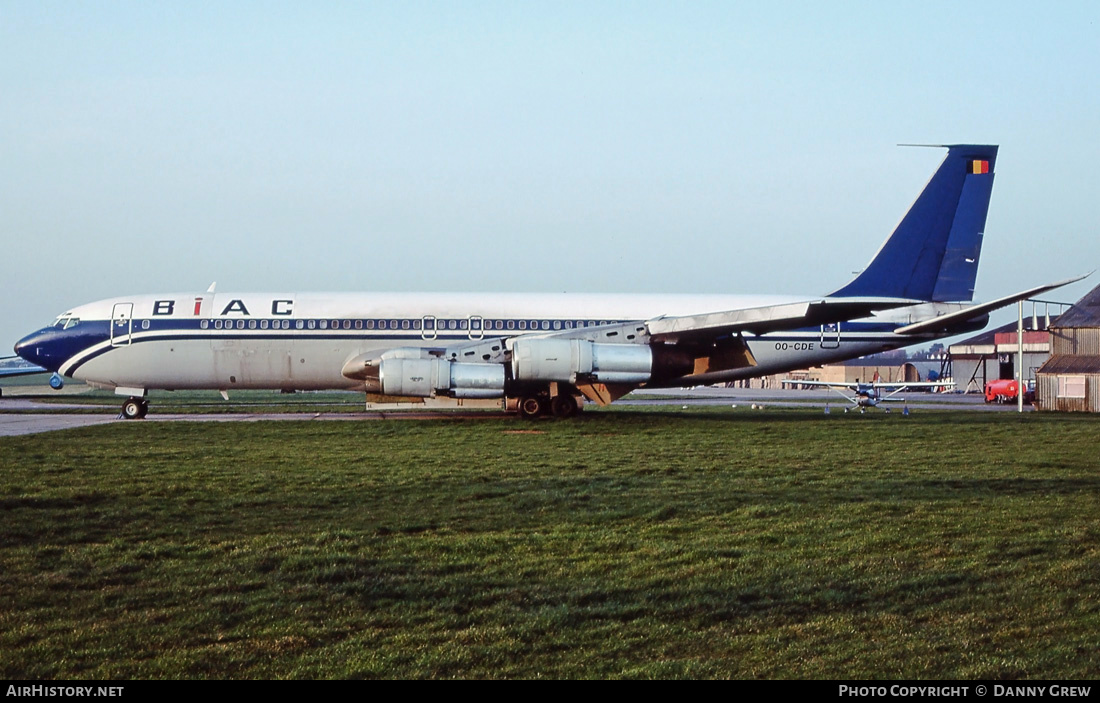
[(1071, 380)]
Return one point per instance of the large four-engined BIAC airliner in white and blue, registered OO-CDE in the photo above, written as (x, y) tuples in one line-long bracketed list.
[(546, 354)]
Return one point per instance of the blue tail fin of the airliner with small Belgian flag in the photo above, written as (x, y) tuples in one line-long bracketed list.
[(933, 255)]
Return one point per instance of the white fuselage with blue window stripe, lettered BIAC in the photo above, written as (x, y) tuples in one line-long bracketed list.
[(302, 342)]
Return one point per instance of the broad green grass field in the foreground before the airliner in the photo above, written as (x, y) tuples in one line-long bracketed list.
[(711, 544)]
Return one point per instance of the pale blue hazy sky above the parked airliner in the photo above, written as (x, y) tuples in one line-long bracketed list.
[(657, 148)]
